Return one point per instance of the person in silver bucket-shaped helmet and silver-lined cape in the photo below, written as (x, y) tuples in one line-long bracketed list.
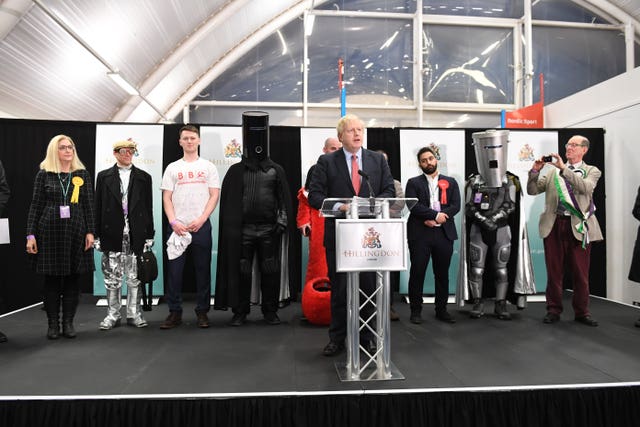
[(495, 260)]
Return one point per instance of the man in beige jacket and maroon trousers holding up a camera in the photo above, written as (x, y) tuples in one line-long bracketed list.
[(567, 225)]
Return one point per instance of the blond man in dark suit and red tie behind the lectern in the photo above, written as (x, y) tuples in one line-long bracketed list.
[(343, 174)]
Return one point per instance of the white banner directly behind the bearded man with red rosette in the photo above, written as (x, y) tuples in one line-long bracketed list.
[(450, 152)]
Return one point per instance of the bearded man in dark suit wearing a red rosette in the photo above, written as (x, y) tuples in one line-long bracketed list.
[(431, 232)]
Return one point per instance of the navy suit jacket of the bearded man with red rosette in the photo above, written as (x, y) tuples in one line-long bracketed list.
[(418, 187)]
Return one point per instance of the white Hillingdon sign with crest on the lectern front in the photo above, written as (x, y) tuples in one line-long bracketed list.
[(371, 245)]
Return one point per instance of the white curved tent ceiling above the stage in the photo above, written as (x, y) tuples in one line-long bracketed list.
[(55, 54)]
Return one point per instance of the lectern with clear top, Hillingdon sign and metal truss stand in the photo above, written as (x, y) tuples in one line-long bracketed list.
[(370, 237)]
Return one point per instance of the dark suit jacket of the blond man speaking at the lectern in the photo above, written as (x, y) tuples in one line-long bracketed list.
[(331, 179)]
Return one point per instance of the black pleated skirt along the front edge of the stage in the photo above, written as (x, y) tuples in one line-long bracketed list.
[(597, 407)]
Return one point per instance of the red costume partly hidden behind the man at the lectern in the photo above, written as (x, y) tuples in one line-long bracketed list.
[(316, 294)]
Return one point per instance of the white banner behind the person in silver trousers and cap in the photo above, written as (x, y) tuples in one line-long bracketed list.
[(150, 141)]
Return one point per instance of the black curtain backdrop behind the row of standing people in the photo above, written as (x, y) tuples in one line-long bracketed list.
[(23, 144)]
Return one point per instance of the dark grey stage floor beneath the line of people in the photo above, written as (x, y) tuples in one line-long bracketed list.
[(258, 358)]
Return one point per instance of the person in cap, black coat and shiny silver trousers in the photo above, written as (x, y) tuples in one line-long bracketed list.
[(124, 229)]
